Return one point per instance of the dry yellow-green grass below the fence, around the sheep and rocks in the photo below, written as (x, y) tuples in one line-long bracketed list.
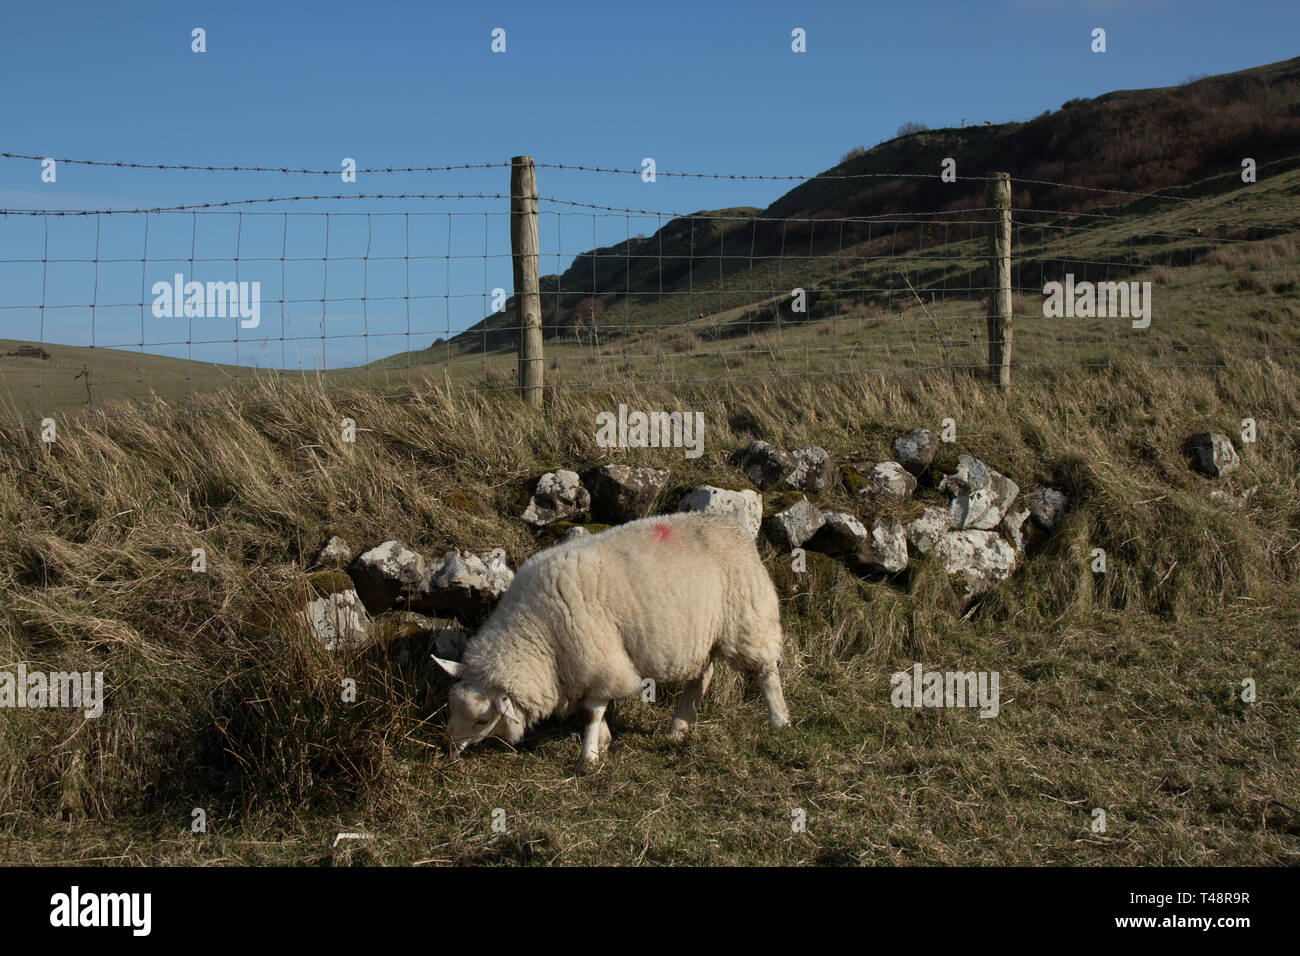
[(1120, 691)]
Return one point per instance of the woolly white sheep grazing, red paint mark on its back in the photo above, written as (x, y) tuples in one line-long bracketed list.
[(588, 621)]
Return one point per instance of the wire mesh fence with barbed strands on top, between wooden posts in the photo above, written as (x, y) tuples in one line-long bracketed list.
[(211, 304)]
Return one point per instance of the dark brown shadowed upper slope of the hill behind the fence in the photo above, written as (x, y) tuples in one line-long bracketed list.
[(1182, 140)]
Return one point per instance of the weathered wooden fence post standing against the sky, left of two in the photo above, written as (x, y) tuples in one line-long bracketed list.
[(528, 300)]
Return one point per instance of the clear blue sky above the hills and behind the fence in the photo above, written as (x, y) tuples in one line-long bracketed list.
[(697, 86)]
